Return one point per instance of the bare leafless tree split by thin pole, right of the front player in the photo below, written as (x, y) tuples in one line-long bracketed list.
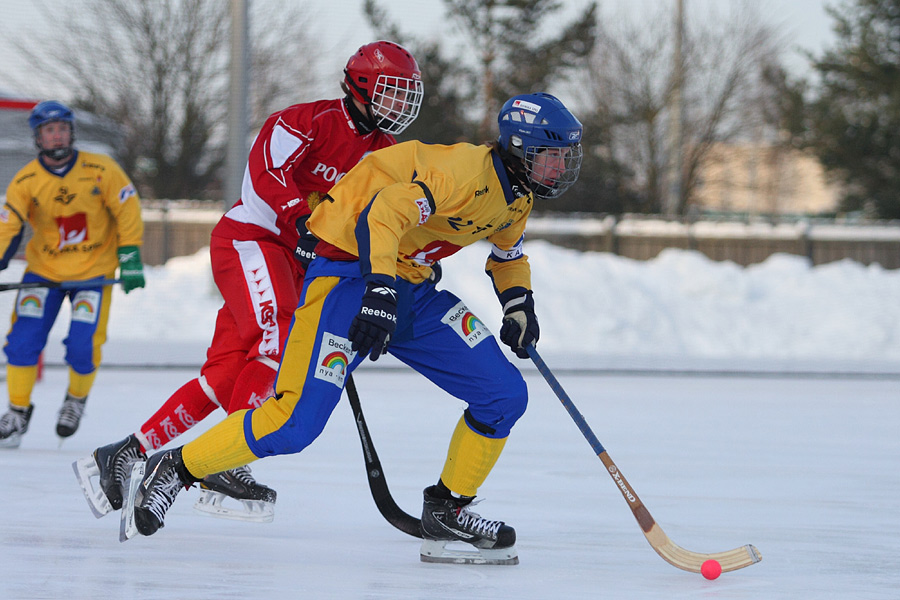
[(723, 90)]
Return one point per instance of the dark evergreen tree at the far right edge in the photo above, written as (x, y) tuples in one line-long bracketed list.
[(854, 116)]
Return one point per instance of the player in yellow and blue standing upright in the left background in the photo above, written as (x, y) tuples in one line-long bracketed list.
[(86, 221)]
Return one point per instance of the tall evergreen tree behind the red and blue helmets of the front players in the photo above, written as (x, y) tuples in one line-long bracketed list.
[(515, 52)]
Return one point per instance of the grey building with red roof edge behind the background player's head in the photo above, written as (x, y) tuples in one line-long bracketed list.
[(92, 133)]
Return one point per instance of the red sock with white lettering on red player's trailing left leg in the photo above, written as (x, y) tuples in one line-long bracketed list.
[(184, 409)]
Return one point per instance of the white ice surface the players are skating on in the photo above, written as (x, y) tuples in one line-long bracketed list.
[(804, 469)]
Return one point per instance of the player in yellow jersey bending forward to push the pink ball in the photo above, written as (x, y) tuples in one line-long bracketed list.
[(368, 292)]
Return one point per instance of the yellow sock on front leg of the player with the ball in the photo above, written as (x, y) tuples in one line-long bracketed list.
[(470, 458)]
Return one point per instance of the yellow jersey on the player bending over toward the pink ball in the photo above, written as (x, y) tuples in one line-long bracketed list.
[(404, 207)]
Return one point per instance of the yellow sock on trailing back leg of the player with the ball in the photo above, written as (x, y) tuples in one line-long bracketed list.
[(221, 448)]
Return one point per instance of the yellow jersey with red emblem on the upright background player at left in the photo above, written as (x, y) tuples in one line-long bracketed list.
[(79, 216)]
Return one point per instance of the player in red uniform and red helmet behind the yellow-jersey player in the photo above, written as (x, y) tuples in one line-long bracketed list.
[(258, 266)]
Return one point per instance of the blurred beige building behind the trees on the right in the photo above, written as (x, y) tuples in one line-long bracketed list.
[(758, 179)]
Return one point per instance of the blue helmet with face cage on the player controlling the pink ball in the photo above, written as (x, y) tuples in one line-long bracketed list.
[(540, 131)]
